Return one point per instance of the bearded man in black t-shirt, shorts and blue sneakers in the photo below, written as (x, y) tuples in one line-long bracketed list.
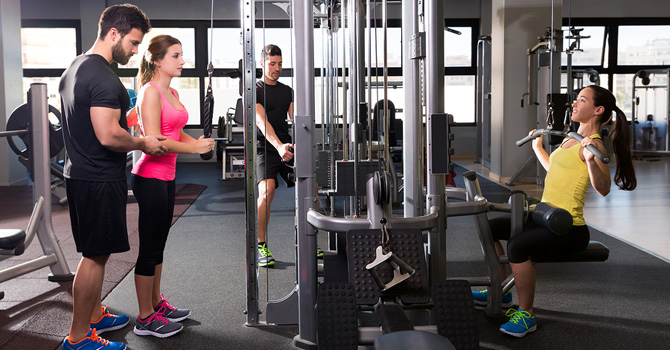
[(93, 103)]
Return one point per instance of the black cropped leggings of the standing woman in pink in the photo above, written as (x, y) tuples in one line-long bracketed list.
[(156, 201)]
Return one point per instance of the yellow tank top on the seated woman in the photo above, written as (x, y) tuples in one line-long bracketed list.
[(567, 181)]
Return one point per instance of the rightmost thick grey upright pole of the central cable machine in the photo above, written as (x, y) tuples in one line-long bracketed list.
[(434, 105)]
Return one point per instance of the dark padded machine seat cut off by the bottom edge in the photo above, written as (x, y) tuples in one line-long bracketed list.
[(412, 340)]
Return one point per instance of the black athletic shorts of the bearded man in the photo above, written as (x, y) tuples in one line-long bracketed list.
[(98, 216)]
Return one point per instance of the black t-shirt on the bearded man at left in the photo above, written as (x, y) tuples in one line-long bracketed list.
[(91, 82)]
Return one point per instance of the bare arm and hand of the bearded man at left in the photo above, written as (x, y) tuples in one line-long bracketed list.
[(111, 135)]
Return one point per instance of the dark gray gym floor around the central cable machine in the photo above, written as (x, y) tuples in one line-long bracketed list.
[(611, 305)]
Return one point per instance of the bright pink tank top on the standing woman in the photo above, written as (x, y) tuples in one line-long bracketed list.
[(172, 121)]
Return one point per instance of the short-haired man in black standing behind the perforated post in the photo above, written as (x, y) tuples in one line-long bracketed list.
[(274, 103)]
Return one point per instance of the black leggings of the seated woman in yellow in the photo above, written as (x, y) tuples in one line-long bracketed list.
[(535, 240)]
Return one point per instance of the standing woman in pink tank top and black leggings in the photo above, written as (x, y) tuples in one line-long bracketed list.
[(160, 113)]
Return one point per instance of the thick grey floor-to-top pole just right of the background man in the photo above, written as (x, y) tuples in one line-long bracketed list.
[(305, 172)]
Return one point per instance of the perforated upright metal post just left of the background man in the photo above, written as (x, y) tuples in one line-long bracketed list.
[(249, 98)]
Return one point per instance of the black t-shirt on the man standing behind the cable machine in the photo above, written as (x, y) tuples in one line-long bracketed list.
[(276, 99)]
